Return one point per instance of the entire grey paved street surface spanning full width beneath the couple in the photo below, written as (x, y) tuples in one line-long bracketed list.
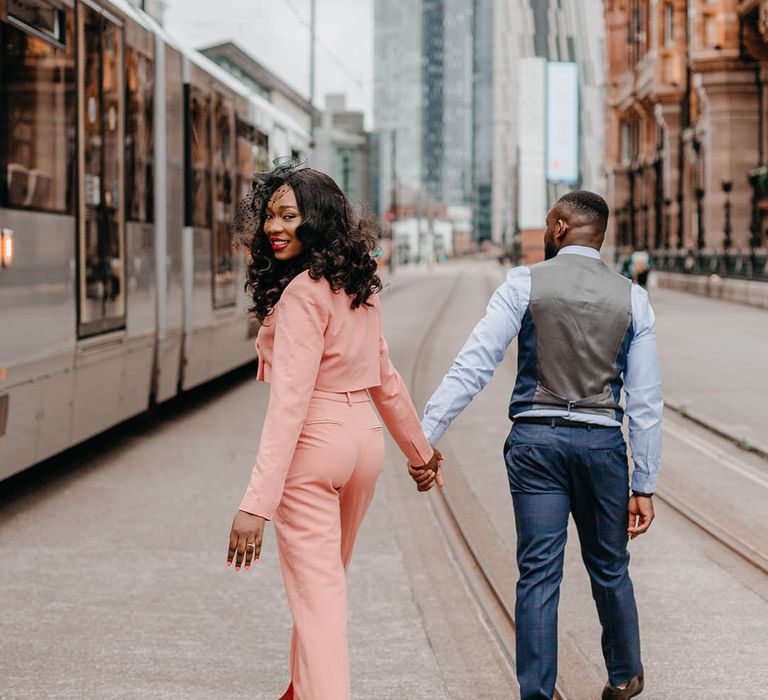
[(113, 576)]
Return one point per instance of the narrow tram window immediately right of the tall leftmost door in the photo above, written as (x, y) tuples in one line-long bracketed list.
[(139, 162)]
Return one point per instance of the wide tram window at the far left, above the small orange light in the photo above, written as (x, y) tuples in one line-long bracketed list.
[(37, 118)]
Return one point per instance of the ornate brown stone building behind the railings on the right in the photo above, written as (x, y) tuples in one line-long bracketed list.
[(687, 126)]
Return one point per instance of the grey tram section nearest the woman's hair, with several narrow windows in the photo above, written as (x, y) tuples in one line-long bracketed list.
[(216, 328)]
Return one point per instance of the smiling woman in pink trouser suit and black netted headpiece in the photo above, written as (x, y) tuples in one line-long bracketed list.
[(314, 288)]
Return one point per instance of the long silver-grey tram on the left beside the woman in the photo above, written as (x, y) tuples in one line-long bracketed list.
[(122, 159)]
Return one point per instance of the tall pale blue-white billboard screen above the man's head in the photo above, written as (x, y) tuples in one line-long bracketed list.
[(562, 122)]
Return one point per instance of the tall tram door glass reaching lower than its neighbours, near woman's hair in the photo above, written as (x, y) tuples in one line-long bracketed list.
[(224, 170)]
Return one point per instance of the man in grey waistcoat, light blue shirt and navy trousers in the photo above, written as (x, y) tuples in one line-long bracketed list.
[(581, 327)]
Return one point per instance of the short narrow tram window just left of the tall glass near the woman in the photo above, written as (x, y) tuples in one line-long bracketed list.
[(200, 158)]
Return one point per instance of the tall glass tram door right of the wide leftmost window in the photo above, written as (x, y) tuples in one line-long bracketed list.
[(101, 268)]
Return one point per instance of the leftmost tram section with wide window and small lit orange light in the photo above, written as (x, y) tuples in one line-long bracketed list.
[(37, 220)]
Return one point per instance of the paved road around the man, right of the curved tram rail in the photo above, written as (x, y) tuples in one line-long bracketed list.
[(703, 610)]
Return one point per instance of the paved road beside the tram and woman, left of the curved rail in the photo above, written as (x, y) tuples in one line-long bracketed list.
[(114, 585)]
